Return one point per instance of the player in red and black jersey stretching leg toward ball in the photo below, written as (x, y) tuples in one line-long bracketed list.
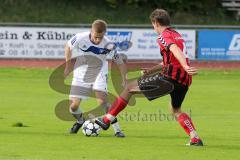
[(174, 79)]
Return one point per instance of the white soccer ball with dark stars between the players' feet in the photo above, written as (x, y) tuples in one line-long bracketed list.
[(90, 129)]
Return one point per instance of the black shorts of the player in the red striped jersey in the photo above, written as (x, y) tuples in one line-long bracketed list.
[(155, 86)]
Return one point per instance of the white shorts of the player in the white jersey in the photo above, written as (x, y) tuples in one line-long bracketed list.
[(82, 89)]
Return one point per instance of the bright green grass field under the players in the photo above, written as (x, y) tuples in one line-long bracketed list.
[(213, 100)]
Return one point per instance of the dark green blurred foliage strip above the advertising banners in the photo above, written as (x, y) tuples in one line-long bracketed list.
[(84, 11)]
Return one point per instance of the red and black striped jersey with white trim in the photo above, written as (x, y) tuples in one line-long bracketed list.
[(171, 66)]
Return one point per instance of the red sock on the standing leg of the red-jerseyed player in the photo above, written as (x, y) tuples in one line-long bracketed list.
[(186, 122)]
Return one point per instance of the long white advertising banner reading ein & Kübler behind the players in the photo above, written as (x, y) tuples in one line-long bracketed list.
[(48, 42)]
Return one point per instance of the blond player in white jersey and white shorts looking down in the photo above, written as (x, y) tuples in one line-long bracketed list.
[(91, 71)]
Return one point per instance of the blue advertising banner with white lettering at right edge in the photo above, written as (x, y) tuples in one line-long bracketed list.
[(218, 45)]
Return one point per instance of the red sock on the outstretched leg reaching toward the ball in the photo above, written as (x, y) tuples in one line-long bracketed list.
[(118, 105)]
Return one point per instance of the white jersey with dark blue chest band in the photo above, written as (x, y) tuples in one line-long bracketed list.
[(91, 58)]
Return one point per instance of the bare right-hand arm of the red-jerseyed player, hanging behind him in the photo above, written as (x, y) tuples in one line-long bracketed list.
[(177, 52)]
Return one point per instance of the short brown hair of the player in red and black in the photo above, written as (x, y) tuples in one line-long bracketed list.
[(161, 16)]
